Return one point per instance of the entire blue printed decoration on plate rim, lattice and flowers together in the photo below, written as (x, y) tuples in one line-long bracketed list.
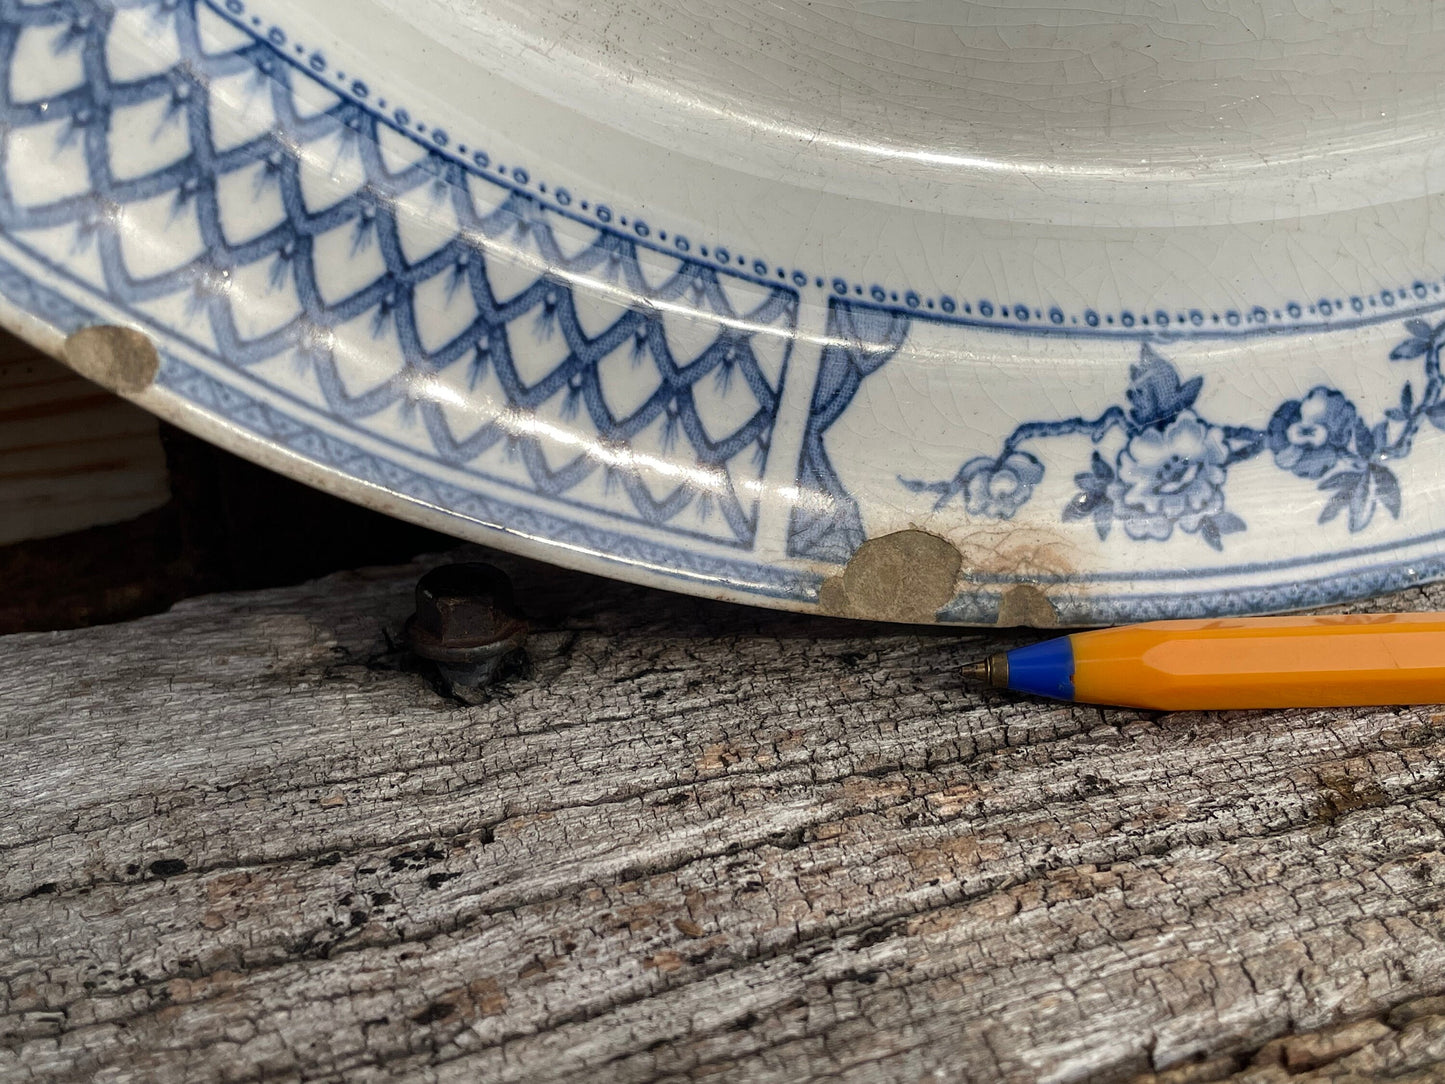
[(374, 298)]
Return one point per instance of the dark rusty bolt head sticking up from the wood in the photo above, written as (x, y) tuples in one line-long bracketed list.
[(466, 614)]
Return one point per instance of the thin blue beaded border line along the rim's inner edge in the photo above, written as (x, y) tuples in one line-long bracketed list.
[(1193, 323)]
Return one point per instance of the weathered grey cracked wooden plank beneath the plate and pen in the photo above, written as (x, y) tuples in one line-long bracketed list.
[(242, 842)]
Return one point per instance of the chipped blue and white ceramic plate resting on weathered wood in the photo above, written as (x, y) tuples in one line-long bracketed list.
[(924, 310)]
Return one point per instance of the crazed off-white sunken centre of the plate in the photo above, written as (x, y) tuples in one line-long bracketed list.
[(1030, 109)]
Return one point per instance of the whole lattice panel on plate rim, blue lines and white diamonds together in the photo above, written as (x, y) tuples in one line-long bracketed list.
[(389, 271)]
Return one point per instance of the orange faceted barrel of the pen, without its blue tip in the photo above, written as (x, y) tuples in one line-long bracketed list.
[(1277, 663)]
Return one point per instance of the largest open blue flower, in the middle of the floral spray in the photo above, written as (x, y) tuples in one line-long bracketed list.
[(1168, 476)]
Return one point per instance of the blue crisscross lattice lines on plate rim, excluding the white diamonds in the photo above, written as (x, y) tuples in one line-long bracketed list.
[(372, 216)]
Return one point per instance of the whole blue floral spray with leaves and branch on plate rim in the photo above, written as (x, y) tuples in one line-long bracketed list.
[(1173, 468)]
